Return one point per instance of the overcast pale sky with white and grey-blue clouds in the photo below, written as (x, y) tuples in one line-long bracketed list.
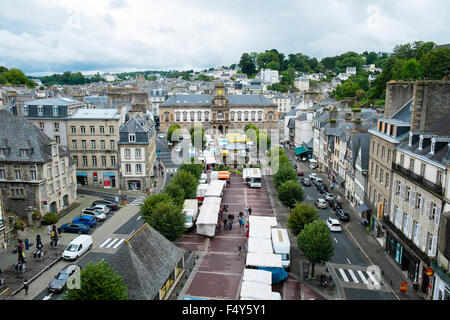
[(48, 36)]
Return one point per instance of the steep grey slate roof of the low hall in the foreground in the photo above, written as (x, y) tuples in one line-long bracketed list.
[(146, 262)]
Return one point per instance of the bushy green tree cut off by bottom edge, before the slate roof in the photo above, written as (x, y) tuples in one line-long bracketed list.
[(98, 282)]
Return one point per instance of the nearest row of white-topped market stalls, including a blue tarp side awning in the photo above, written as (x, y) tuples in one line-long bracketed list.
[(263, 266)]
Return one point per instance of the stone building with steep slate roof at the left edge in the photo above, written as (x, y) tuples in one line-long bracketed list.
[(35, 172)]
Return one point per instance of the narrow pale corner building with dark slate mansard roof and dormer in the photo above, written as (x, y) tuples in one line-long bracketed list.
[(137, 149)]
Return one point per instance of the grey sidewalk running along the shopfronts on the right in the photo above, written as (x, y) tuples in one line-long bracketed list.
[(370, 248)]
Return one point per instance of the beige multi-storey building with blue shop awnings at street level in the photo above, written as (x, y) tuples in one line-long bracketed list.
[(93, 136)]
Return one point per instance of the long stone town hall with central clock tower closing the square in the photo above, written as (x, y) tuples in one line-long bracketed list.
[(219, 112)]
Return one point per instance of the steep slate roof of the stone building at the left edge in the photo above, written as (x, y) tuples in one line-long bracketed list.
[(19, 133)]
